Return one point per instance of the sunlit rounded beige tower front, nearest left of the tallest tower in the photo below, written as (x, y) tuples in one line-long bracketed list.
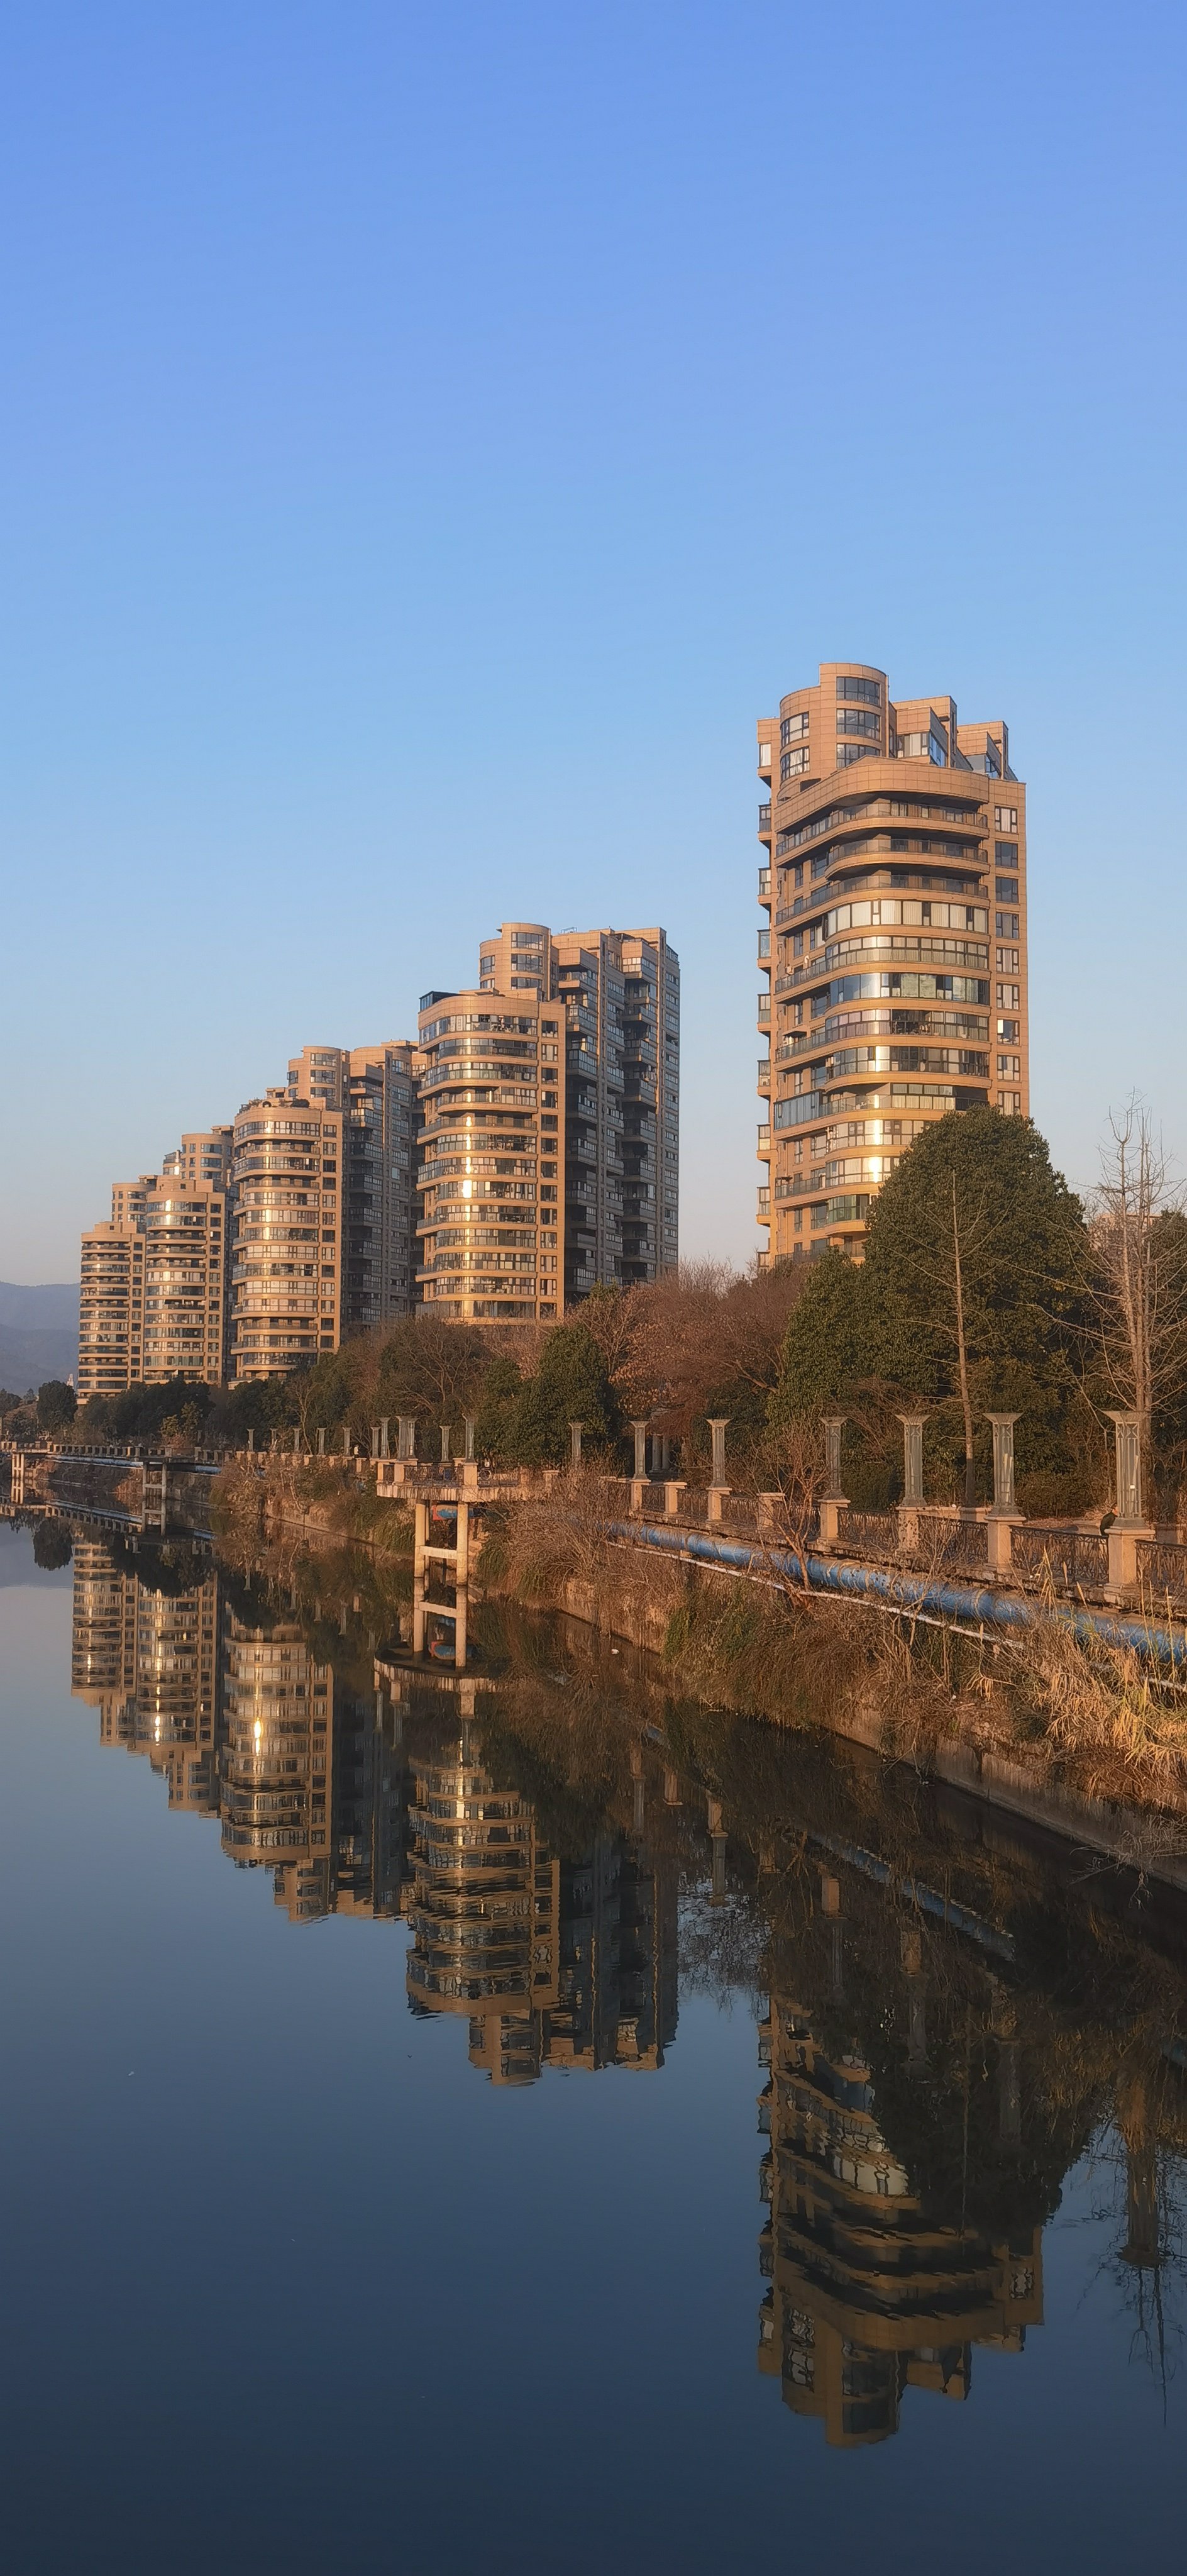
[(491, 1158)]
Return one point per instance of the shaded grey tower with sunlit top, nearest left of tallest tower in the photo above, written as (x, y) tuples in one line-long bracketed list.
[(622, 1124)]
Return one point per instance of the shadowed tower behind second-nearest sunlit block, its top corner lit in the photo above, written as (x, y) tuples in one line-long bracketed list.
[(377, 1094)]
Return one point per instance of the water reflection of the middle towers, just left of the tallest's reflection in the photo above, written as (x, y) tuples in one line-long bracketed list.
[(550, 1962)]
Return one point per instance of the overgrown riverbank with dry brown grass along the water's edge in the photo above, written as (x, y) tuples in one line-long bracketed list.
[(1065, 1730)]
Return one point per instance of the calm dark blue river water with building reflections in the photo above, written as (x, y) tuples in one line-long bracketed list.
[(524, 2124)]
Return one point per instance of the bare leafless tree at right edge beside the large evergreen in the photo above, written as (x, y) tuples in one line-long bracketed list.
[(1139, 1253)]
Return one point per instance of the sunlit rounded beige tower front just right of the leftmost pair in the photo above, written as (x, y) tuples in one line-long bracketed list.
[(290, 1235)]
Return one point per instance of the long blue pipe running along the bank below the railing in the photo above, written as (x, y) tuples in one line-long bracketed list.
[(908, 1591)]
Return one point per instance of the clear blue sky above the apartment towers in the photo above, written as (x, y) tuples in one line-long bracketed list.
[(434, 434)]
